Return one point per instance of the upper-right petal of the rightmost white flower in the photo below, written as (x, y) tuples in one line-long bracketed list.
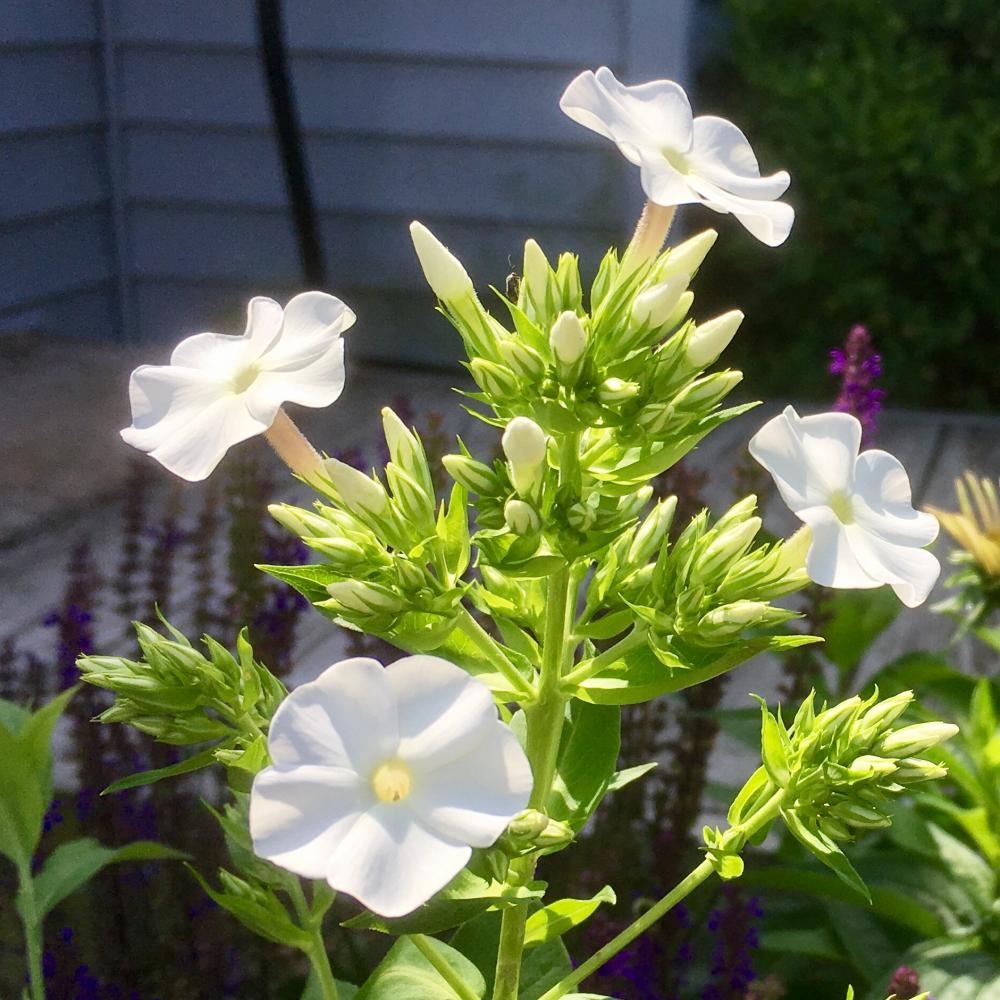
[(884, 502)]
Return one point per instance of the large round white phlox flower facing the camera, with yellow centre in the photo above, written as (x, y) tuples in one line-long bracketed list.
[(385, 778)]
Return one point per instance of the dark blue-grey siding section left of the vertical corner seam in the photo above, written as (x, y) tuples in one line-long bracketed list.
[(55, 245)]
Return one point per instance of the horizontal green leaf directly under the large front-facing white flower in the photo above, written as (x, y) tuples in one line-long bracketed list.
[(465, 897)]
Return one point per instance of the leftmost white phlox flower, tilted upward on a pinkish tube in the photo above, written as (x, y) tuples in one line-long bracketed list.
[(219, 390)]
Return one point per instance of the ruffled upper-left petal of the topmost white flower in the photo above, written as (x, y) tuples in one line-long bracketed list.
[(654, 115)]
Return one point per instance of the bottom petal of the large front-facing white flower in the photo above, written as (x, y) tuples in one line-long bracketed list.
[(391, 863)]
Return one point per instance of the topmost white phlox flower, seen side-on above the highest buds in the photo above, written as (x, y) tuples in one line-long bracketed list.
[(681, 159)]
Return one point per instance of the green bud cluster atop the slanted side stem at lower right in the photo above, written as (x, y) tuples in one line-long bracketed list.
[(835, 772)]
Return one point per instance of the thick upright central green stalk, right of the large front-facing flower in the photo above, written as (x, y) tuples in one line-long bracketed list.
[(545, 720)]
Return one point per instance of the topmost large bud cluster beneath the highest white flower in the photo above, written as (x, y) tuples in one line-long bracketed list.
[(628, 375)]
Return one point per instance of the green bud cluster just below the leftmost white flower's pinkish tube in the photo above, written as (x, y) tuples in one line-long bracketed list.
[(390, 552)]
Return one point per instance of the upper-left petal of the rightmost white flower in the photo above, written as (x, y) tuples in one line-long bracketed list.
[(808, 457)]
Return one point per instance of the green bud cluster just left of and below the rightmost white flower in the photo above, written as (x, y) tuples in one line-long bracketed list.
[(707, 588)]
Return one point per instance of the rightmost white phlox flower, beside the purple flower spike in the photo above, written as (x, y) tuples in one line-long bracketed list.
[(865, 530)]
